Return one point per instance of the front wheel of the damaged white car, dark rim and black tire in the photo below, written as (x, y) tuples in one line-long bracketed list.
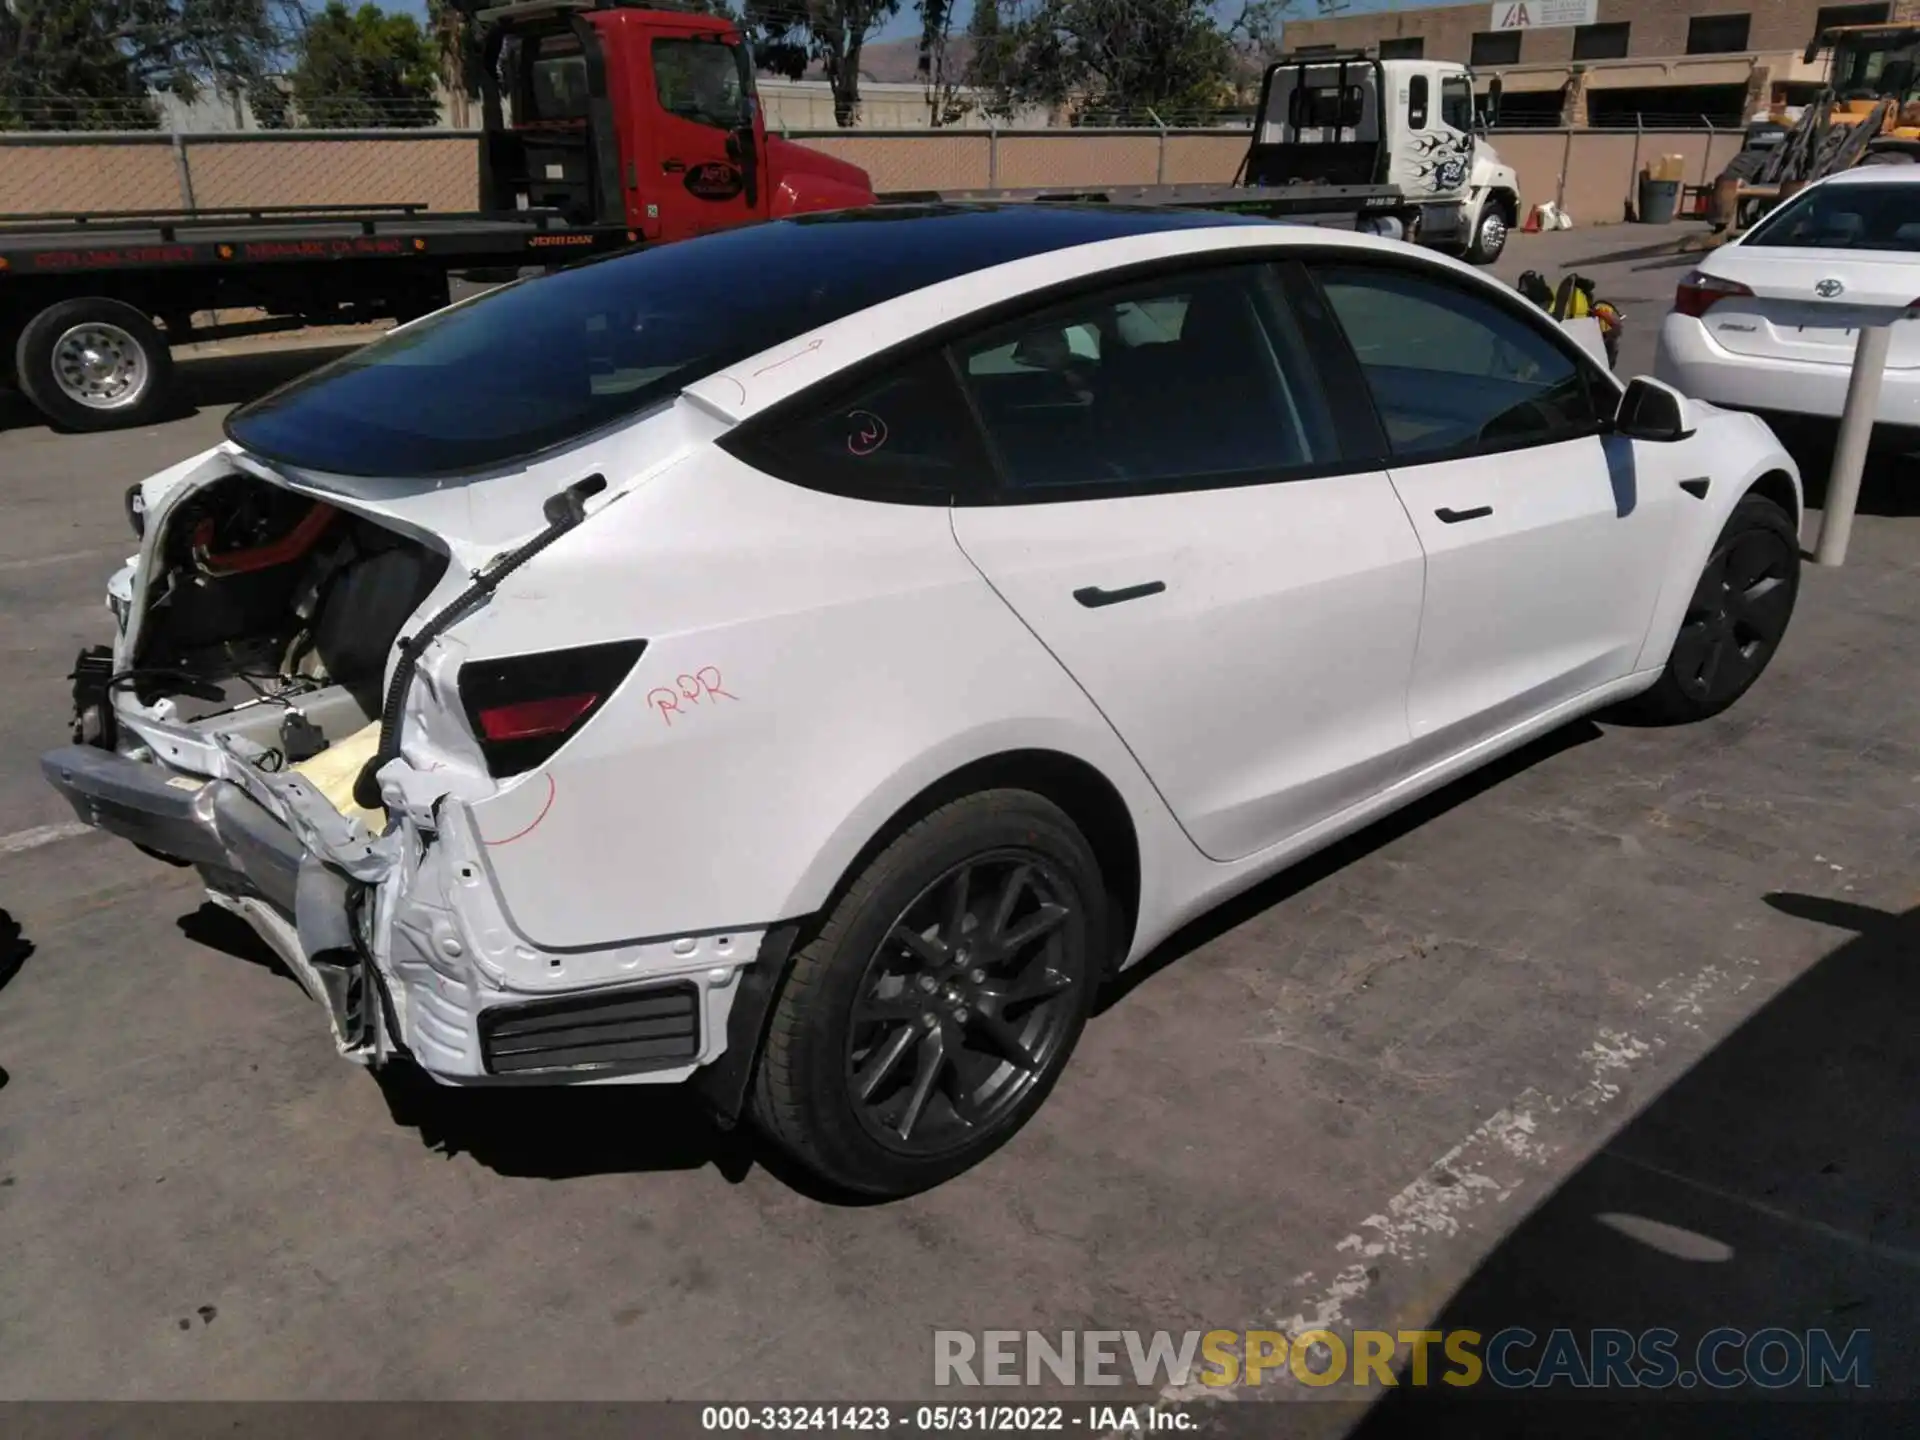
[(1733, 627)]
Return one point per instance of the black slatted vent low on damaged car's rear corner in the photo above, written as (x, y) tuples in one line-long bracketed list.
[(652, 1028)]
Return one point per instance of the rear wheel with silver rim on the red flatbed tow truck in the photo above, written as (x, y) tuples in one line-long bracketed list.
[(95, 366)]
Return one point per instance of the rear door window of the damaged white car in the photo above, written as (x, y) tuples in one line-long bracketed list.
[(1193, 379)]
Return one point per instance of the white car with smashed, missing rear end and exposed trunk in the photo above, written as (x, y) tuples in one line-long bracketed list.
[(807, 661)]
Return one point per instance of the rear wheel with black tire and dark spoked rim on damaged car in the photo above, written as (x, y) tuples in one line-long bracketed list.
[(898, 1019)]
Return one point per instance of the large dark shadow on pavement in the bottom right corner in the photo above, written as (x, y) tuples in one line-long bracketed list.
[(1771, 1188)]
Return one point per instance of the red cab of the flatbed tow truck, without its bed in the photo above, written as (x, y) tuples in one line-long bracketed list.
[(615, 114)]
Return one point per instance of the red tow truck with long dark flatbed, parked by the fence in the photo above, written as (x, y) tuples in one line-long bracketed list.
[(619, 128)]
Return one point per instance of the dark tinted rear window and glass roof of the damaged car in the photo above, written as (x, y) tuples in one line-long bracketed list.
[(548, 362)]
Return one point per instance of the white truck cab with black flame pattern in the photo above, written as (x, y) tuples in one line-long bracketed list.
[(1351, 118)]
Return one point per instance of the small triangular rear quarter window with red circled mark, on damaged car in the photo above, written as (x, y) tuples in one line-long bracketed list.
[(901, 437)]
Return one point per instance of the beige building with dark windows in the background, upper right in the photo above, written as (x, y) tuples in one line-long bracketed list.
[(1666, 62)]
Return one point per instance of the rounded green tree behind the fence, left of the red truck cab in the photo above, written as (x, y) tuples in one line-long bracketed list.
[(364, 68)]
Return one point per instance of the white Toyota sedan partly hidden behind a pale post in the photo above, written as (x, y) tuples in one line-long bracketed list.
[(1769, 322)]
